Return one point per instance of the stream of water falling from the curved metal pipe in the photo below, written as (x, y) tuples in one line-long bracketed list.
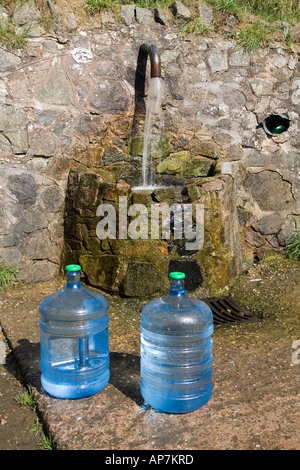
[(153, 110)]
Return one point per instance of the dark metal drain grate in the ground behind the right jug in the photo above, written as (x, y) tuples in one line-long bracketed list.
[(225, 311)]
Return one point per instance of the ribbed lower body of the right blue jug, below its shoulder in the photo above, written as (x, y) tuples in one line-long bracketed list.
[(176, 371)]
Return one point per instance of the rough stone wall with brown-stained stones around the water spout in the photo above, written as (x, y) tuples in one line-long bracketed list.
[(68, 103)]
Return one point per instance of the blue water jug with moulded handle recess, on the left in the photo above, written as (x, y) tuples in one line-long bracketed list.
[(74, 340)]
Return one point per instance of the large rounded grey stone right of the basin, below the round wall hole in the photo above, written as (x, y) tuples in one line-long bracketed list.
[(270, 191)]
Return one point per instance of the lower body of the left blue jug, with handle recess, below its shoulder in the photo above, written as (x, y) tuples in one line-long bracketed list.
[(74, 359)]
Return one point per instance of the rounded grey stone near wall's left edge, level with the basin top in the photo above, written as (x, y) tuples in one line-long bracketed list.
[(24, 187)]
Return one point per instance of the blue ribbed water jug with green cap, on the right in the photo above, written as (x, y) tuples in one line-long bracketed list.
[(176, 350)]
